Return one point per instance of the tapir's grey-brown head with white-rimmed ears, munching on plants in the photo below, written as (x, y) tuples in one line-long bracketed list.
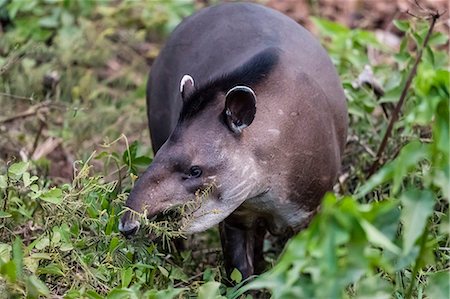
[(206, 152)]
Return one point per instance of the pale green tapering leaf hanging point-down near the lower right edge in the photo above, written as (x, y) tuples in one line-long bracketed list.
[(417, 207)]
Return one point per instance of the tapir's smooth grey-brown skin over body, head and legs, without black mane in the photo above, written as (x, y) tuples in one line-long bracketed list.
[(269, 173)]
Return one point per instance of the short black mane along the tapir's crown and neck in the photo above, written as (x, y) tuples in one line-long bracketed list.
[(250, 73)]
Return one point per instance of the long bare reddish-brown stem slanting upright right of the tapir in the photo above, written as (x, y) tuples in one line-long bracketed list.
[(434, 16)]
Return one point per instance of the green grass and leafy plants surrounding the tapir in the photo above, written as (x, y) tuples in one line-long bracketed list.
[(382, 237)]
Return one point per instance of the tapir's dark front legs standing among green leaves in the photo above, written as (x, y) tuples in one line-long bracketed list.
[(242, 248)]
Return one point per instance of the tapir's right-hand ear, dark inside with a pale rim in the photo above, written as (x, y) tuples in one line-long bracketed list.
[(240, 108)]
